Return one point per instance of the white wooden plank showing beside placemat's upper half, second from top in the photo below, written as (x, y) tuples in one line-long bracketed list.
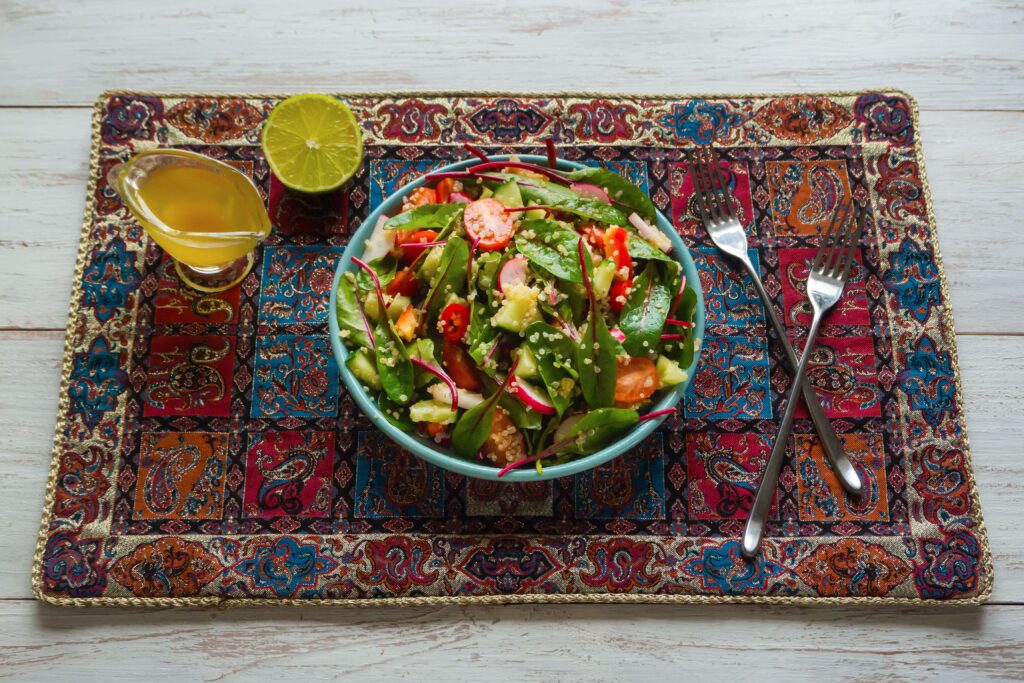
[(975, 162)]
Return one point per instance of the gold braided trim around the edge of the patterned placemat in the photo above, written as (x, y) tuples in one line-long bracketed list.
[(947, 328)]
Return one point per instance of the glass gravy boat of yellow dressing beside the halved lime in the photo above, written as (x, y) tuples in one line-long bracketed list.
[(208, 217)]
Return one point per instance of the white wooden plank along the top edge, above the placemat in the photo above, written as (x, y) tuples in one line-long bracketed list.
[(946, 54)]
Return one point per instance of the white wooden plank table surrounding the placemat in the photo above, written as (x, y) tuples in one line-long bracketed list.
[(964, 63)]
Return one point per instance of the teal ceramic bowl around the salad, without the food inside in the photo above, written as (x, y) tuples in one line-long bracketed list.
[(430, 451)]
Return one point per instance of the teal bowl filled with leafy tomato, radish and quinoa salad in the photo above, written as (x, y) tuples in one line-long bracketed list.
[(518, 318)]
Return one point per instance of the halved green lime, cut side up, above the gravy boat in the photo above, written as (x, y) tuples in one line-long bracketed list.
[(313, 143)]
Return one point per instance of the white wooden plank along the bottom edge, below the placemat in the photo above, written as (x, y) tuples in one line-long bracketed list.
[(544, 643)]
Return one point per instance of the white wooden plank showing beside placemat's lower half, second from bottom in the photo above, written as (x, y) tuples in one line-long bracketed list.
[(994, 379)]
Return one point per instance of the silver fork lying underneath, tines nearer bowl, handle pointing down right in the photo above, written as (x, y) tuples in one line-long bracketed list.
[(727, 232)]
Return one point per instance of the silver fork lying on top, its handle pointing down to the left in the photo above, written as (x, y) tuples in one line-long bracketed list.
[(825, 287)]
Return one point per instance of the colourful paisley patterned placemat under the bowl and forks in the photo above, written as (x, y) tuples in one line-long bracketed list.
[(205, 452)]
